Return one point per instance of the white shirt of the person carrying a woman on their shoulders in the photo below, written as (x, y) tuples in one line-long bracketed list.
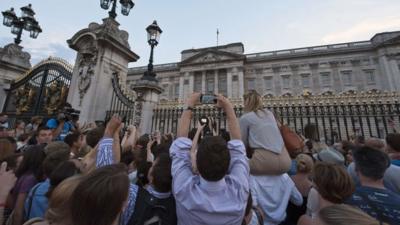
[(272, 194)]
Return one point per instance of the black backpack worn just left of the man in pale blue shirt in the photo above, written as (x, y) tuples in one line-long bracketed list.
[(150, 210)]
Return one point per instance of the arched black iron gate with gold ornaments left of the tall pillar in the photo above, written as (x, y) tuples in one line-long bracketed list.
[(42, 91)]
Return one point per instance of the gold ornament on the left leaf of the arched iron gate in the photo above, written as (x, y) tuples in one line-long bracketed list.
[(24, 99)]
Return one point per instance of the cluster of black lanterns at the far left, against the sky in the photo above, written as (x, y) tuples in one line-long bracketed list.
[(26, 22)]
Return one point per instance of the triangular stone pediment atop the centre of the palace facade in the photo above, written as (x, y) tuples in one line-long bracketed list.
[(212, 56)]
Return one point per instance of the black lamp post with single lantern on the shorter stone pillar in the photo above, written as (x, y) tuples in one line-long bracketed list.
[(153, 37)]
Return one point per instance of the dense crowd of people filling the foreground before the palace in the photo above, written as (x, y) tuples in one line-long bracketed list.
[(57, 172)]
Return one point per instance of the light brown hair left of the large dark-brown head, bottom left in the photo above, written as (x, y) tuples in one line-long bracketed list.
[(58, 211)]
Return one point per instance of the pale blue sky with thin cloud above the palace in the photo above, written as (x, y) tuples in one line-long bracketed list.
[(261, 25)]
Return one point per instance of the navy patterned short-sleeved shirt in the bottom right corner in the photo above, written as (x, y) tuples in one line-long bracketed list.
[(381, 204)]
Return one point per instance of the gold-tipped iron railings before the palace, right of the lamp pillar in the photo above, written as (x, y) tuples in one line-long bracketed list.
[(338, 117)]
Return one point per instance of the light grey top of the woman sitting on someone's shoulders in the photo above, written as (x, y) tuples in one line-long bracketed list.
[(260, 131)]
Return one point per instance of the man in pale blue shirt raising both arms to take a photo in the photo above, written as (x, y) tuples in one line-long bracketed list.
[(219, 193)]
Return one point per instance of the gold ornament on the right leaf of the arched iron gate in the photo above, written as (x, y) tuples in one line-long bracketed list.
[(56, 94)]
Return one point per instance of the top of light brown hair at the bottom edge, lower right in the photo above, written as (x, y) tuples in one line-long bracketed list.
[(342, 214)]
